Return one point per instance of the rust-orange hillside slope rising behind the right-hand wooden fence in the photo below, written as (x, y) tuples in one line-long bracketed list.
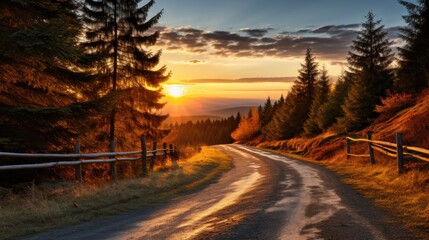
[(412, 122)]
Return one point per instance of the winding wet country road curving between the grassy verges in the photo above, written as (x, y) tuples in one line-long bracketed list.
[(265, 196)]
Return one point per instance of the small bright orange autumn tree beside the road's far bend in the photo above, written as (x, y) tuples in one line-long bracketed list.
[(248, 128)]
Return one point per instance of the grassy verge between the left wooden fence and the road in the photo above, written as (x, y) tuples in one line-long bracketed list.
[(43, 208)]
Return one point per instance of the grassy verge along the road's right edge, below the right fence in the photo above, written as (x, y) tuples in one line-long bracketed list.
[(405, 196)]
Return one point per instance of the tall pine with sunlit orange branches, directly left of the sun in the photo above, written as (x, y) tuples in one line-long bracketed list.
[(118, 31)]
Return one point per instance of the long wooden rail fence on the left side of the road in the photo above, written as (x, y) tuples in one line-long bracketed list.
[(77, 159)]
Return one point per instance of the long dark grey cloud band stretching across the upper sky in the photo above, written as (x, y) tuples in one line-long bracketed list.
[(330, 42)]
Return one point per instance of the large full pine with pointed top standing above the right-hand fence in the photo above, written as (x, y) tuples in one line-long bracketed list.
[(369, 64)]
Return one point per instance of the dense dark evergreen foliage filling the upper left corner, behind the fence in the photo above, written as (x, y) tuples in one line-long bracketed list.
[(46, 91)]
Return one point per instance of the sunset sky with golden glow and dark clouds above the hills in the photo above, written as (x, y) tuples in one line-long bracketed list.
[(213, 47)]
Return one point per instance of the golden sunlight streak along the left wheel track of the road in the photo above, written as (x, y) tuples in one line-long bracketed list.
[(187, 218)]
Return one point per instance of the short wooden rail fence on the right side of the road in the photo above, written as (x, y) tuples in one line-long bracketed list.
[(397, 150)]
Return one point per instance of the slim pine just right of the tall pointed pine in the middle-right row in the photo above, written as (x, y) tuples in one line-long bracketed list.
[(311, 126)]
